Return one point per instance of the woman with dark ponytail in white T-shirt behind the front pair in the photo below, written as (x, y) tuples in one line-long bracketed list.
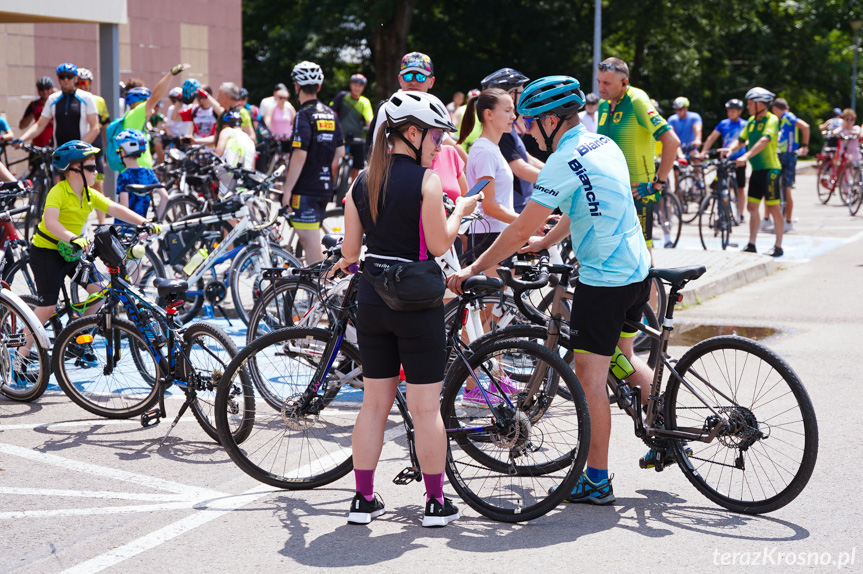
[(496, 112)]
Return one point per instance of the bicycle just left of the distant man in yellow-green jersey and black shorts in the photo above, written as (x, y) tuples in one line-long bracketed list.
[(716, 217)]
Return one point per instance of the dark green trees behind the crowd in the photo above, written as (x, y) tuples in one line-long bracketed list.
[(708, 51)]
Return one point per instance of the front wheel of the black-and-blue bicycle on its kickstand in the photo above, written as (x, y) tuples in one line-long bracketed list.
[(98, 367)]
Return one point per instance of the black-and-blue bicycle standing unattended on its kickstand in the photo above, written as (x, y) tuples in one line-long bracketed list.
[(120, 368)]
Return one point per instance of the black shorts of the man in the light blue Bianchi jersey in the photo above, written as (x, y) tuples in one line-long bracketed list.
[(599, 315)]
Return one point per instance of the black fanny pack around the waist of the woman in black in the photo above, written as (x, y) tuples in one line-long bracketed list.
[(407, 285)]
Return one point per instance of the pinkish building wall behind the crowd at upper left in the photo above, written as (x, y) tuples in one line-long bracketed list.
[(159, 35)]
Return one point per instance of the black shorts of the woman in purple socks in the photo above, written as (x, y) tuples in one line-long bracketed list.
[(414, 340)]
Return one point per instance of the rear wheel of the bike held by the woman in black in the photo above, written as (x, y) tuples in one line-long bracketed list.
[(514, 459)]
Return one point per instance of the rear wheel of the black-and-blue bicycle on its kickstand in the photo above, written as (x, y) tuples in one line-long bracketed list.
[(207, 351)]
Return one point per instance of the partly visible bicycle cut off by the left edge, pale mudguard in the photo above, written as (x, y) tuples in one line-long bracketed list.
[(21, 378)]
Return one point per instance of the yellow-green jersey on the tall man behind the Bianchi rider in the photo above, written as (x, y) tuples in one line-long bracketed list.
[(634, 126)]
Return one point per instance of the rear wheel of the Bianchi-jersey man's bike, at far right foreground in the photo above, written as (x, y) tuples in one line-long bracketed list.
[(764, 457)]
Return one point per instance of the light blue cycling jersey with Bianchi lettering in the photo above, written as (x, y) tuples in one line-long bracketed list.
[(587, 178)]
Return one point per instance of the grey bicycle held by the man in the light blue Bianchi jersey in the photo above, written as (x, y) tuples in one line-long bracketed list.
[(733, 414)]
